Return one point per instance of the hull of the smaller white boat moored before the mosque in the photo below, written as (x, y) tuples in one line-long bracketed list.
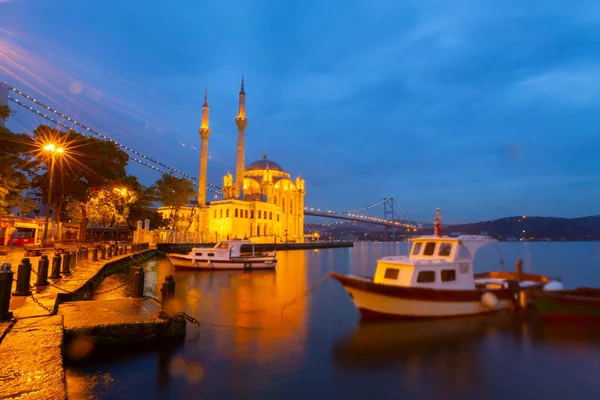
[(181, 262)]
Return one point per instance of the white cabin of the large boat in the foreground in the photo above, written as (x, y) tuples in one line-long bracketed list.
[(433, 262)]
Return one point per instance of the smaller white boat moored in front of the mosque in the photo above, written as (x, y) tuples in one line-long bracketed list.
[(225, 255)]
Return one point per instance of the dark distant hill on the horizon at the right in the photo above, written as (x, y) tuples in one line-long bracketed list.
[(534, 228)]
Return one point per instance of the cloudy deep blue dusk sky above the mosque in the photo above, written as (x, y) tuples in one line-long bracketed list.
[(485, 109)]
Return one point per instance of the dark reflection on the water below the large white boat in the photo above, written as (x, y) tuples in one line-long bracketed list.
[(381, 343)]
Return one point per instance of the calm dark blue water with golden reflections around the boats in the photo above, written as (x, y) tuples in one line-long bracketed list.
[(264, 337)]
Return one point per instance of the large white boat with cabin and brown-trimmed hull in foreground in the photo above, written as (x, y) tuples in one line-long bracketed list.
[(436, 280)]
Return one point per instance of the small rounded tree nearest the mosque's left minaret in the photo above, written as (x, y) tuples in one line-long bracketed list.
[(173, 192)]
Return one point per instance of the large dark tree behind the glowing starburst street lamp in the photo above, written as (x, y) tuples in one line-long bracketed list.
[(86, 163)]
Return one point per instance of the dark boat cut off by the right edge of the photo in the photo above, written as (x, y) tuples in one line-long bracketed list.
[(579, 304)]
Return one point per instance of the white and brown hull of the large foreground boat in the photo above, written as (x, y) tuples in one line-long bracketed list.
[(376, 301)]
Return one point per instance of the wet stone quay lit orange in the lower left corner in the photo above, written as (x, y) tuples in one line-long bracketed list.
[(42, 330)]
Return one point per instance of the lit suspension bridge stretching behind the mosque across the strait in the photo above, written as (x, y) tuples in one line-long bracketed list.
[(393, 218)]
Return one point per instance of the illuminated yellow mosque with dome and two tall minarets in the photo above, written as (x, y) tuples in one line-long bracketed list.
[(260, 203)]
